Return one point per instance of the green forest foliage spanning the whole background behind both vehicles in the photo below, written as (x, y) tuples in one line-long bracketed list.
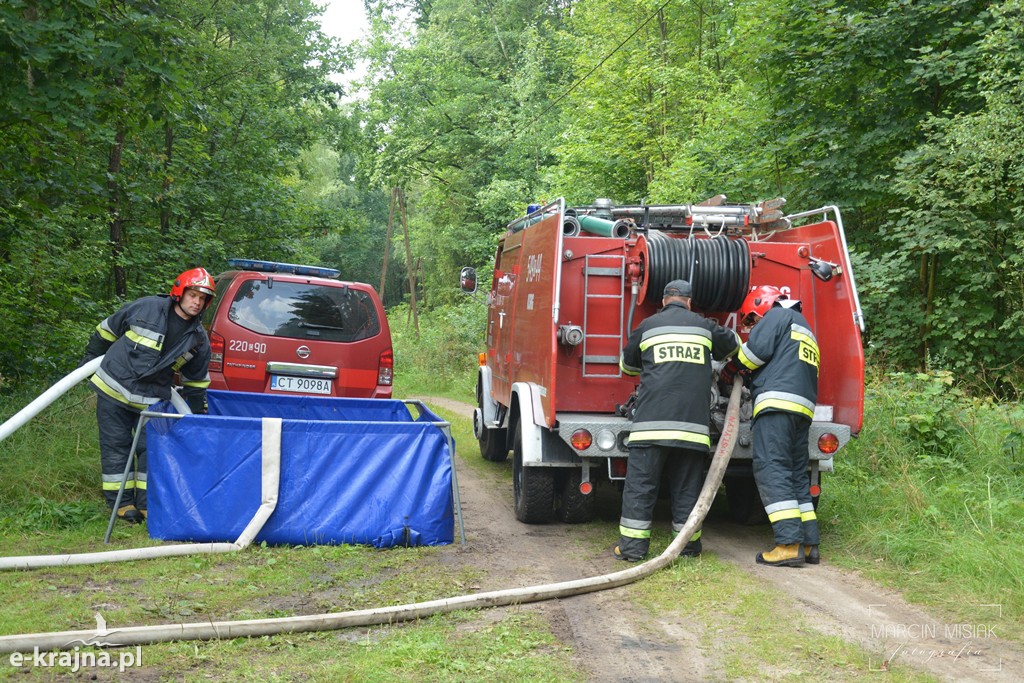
[(142, 139)]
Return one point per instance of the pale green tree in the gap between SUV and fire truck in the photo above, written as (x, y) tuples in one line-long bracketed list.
[(455, 119)]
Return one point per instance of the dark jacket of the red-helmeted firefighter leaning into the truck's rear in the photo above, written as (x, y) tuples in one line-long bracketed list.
[(784, 355)]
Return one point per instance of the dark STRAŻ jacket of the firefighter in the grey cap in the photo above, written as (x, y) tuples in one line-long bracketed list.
[(672, 352)]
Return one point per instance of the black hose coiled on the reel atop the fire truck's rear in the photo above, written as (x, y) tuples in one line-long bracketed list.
[(718, 269)]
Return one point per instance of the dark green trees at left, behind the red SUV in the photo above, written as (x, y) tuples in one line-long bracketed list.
[(142, 139)]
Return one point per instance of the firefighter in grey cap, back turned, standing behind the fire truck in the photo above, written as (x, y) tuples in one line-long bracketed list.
[(672, 353)]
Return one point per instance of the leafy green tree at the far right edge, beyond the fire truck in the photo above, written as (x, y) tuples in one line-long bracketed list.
[(958, 241)]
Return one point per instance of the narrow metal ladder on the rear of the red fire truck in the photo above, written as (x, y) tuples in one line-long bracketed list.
[(604, 286)]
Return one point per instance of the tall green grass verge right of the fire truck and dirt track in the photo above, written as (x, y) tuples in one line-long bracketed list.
[(929, 500)]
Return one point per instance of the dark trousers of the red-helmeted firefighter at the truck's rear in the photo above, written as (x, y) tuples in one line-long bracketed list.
[(781, 472)]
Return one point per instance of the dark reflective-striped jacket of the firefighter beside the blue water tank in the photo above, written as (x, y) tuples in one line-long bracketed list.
[(138, 369)]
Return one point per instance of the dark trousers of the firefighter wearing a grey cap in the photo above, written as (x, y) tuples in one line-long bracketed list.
[(685, 468)]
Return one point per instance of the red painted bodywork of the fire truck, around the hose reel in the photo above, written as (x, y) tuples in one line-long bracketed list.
[(545, 279)]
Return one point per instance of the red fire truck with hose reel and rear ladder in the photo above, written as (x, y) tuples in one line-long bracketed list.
[(569, 285)]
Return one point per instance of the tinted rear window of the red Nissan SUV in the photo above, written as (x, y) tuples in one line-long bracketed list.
[(305, 312)]
